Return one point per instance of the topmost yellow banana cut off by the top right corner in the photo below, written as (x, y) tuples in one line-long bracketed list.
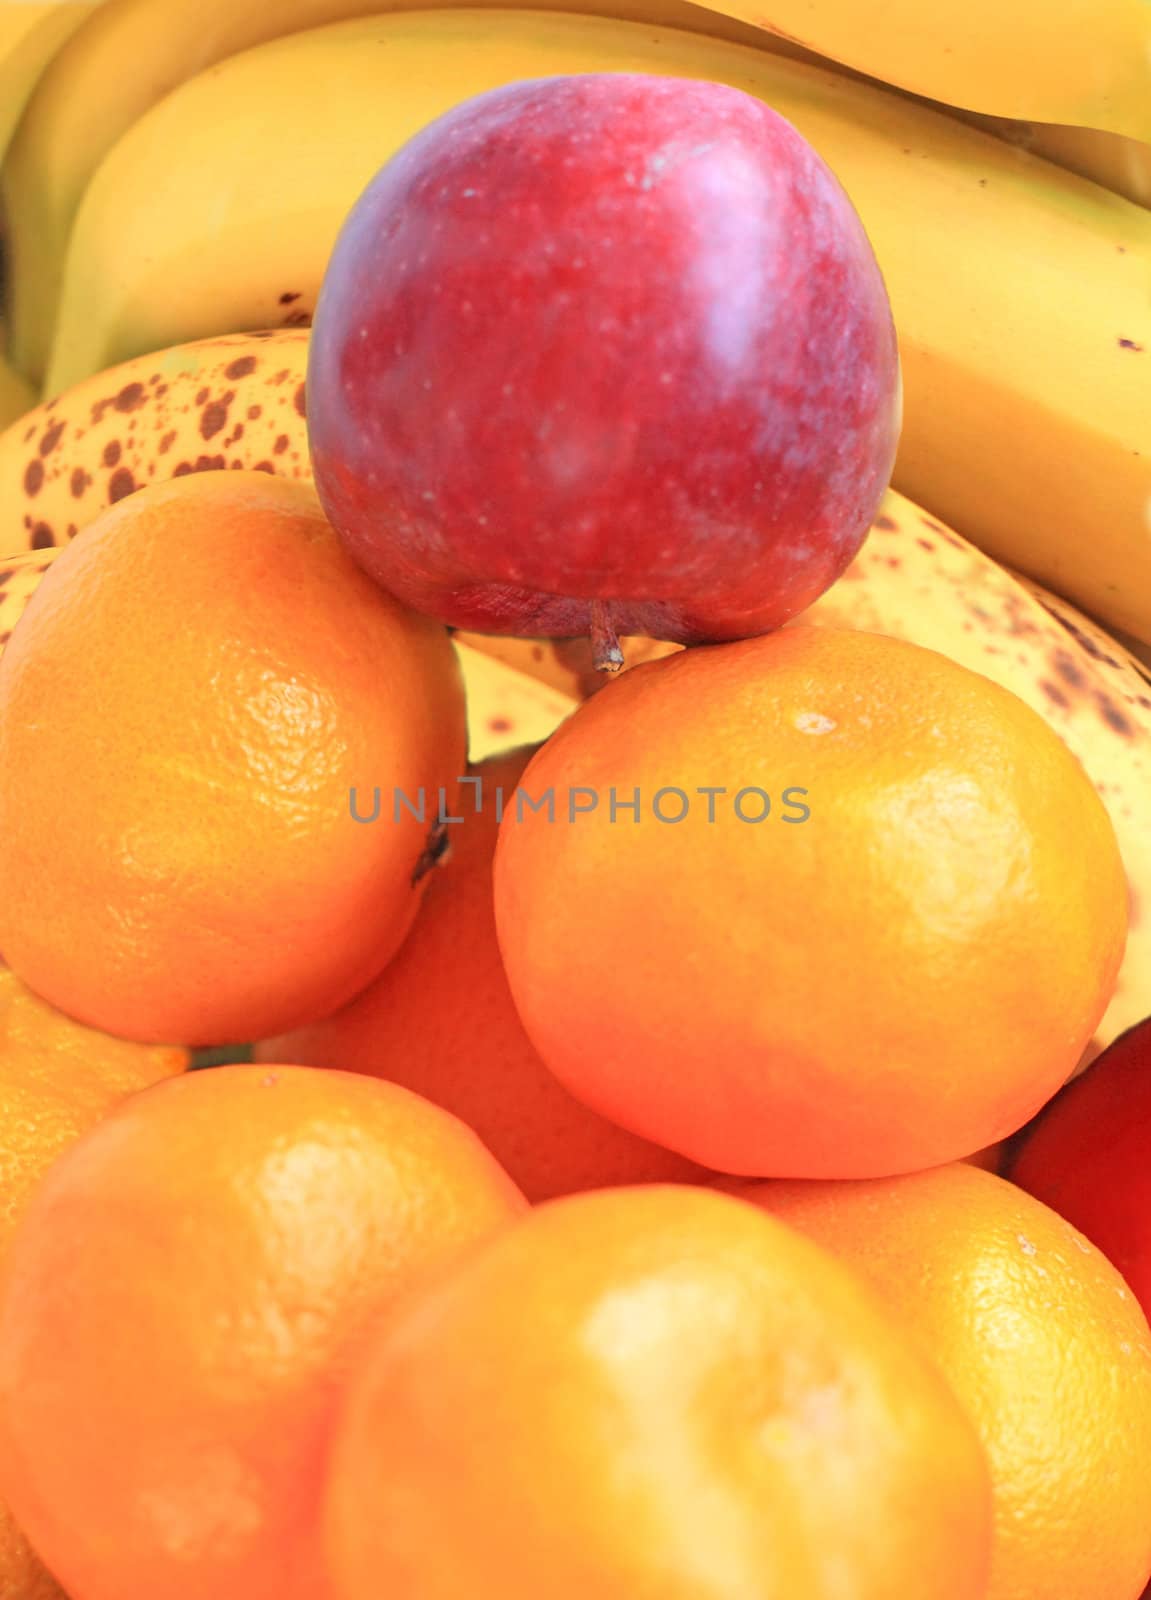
[(1078, 62)]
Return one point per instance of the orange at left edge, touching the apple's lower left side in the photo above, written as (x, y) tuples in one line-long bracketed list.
[(196, 687)]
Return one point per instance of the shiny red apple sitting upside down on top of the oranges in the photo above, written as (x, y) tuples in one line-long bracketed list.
[(604, 338)]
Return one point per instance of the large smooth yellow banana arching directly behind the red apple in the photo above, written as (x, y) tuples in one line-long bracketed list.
[(1021, 292)]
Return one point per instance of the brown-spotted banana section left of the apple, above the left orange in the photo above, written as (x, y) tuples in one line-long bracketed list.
[(231, 402)]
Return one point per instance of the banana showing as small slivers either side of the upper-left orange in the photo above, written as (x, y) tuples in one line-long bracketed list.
[(505, 708)]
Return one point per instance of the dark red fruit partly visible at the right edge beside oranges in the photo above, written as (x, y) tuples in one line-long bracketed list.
[(1089, 1158)]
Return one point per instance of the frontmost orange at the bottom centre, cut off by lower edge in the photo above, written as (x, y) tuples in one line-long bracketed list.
[(648, 1393)]
